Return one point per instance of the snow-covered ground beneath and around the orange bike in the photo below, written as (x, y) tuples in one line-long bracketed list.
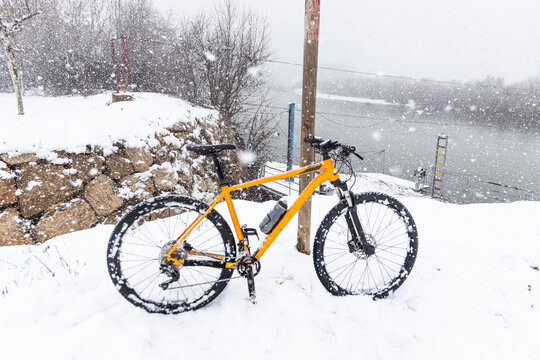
[(474, 293)]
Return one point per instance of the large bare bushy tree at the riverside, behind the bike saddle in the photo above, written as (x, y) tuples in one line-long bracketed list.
[(220, 61)]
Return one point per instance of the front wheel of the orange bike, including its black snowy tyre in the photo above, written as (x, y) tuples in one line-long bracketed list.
[(347, 270)]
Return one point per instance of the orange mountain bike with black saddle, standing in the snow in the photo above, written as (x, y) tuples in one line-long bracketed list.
[(173, 253)]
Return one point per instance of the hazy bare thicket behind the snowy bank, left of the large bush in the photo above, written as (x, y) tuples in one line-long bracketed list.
[(67, 48)]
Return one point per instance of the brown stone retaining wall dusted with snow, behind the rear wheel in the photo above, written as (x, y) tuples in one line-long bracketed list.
[(41, 199)]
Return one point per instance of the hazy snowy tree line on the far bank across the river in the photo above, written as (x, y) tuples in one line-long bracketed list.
[(485, 102)]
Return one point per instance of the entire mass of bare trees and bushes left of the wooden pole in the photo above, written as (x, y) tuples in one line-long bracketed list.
[(212, 59)]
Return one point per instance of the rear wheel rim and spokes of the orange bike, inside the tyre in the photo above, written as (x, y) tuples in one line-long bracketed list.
[(138, 258)]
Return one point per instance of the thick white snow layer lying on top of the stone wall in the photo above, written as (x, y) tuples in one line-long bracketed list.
[(71, 123)]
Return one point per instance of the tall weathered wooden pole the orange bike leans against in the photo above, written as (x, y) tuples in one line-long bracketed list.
[(309, 94)]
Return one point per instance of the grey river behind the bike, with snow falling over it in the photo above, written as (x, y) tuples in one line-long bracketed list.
[(397, 139)]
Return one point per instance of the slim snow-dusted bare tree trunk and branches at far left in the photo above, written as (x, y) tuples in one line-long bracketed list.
[(7, 33)]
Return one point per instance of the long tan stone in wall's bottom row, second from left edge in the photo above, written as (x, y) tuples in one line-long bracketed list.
[(70, 217)]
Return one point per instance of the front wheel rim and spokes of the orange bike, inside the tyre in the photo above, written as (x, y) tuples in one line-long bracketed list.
[(387, 229)]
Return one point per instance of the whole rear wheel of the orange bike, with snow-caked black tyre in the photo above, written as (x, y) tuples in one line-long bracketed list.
[(142, 238)]
